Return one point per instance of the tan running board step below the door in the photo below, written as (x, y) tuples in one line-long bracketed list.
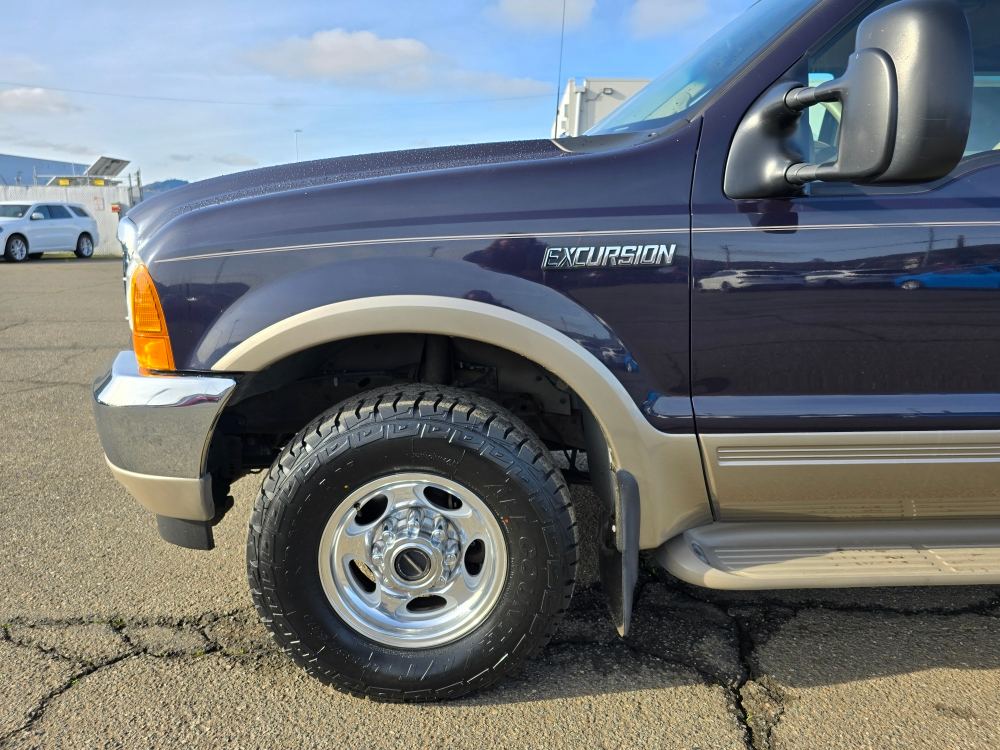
[(768, 555)]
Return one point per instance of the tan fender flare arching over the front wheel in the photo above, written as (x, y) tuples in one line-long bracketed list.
[(667, 467)]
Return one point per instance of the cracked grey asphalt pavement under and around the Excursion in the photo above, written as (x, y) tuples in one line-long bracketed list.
[(111, 638)]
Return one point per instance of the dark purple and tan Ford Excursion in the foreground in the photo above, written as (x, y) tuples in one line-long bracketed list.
[(341, 326)]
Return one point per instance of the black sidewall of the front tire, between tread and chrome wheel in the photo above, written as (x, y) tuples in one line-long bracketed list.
[(308, 496)]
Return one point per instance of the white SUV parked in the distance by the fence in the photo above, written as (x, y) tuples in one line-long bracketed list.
[(29, 229)]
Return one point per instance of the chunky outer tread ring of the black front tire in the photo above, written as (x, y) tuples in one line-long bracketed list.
[(429, 403)]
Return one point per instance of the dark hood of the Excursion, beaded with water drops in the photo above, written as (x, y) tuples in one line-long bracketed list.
[(153, 213)]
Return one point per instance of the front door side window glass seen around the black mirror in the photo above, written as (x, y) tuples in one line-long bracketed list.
[(830, 61)]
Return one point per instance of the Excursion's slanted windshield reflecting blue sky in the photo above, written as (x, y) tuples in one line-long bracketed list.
[(711, 65)]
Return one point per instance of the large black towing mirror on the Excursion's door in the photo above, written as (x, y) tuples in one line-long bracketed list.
[(906, 103)]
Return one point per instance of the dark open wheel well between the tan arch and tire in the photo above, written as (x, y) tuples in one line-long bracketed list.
[(272, 405)]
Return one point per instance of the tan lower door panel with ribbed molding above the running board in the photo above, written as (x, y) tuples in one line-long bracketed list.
[(919, 474)]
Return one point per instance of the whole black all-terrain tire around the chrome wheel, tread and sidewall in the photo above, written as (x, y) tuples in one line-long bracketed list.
[(456, 435)]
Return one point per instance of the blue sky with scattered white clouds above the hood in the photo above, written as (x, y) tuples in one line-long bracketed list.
[(229, 82)]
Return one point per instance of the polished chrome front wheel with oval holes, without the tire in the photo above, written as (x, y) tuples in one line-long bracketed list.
[(413, 560)]
